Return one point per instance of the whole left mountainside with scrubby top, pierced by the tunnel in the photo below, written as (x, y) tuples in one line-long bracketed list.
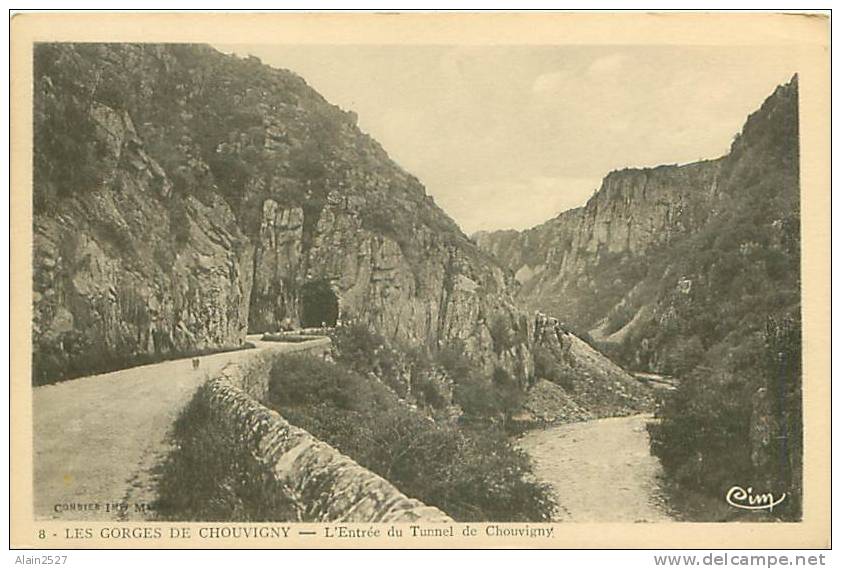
[(183, 197)]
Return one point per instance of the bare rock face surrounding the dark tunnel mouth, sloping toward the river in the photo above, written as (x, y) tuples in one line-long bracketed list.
[(438, 295)]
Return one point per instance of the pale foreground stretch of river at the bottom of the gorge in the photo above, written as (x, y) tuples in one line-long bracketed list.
[(601, 470)]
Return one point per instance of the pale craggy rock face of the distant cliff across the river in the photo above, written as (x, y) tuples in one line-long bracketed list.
[(634, 211)]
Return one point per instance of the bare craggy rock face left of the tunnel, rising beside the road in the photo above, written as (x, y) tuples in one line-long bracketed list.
[(111, 278)]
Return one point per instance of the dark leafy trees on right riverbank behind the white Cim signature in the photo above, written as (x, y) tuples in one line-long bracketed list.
[(739, 422)]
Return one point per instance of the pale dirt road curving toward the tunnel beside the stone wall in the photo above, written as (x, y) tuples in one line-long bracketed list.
[(97, 438)]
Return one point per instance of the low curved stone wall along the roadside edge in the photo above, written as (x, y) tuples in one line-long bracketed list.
[(322, 484)]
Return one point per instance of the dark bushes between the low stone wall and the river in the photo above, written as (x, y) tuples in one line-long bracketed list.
[(471, 474)]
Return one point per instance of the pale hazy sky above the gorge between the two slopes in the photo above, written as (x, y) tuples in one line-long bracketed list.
[(510, 136)]
